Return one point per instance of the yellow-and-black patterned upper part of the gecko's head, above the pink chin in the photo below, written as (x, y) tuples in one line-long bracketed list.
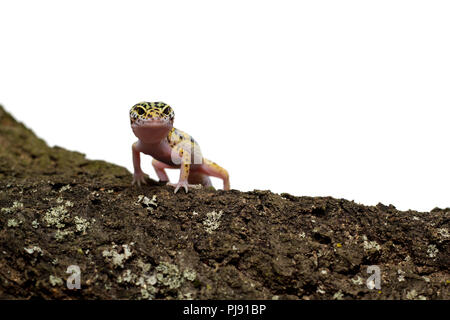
[(151, 110)]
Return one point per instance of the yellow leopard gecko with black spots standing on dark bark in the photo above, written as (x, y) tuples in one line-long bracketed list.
[(170, 148)]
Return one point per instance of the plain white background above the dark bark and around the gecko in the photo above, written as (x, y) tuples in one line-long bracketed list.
[(348, 99)]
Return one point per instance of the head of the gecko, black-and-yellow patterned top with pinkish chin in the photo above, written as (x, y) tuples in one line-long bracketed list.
[(151, 121)]
